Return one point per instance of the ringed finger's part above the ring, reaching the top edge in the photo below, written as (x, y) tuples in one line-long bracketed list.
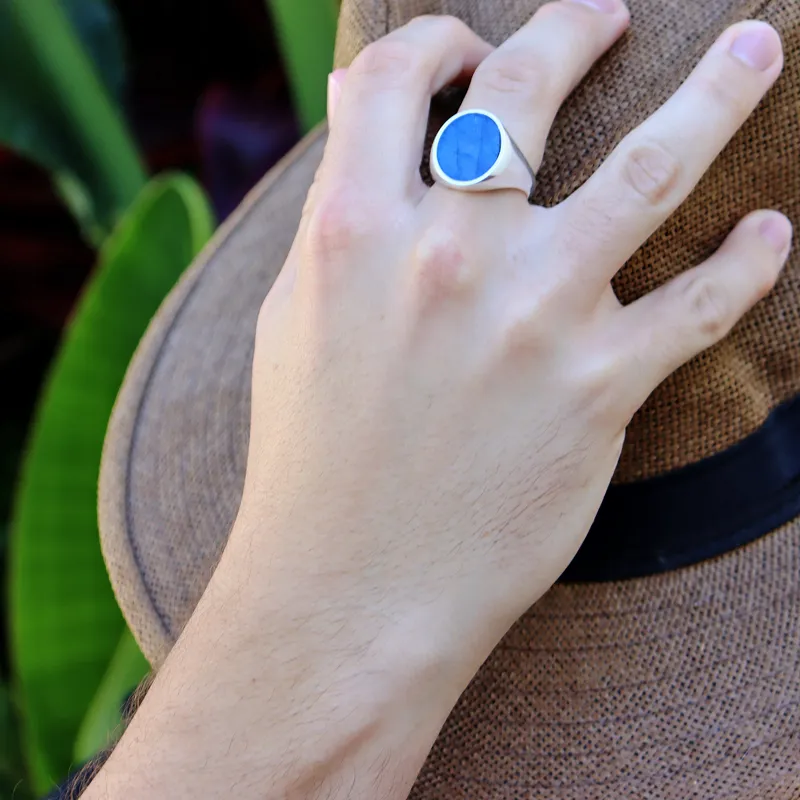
[(526, 80)]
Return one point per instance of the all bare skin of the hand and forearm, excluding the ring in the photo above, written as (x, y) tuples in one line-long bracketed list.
[(441, 387)]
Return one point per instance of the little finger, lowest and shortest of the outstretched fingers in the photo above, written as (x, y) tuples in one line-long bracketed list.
[(669, 326)]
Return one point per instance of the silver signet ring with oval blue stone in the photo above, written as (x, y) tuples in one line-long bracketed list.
[(473, 152)]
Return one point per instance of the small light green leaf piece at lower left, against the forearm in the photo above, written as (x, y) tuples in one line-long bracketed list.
[(103, 719)]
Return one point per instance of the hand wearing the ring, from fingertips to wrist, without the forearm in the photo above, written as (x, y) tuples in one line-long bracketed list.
[(442, 381)]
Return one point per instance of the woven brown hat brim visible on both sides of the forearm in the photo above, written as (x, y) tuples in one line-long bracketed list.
[(681, 685)]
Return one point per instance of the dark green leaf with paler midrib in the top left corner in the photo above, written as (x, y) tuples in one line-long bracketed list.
[(55, 106)]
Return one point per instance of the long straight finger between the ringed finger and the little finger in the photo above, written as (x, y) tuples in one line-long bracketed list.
[(655, 167)]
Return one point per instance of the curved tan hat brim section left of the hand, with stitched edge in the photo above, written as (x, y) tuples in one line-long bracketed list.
[(192, 371)]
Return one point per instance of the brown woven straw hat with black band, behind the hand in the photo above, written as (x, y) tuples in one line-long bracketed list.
[(666, 664)]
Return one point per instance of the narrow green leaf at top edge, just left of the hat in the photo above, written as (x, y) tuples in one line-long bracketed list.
[(307, 33)]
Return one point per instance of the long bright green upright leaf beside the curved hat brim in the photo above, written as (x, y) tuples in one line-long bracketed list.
[(65, 623)]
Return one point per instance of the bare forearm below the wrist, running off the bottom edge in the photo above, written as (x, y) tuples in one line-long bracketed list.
[(298, 704)]
